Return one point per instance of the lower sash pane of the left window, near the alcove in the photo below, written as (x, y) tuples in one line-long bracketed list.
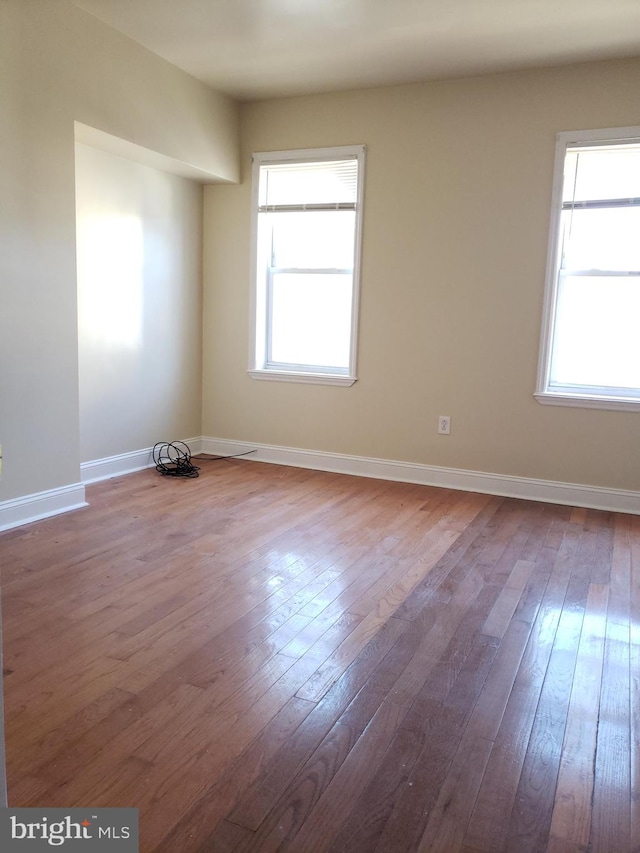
[(311, 319)]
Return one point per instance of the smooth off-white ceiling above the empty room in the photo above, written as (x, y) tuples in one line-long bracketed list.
[(264, 48)]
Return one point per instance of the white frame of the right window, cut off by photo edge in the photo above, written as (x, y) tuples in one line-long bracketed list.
[(593, 397)]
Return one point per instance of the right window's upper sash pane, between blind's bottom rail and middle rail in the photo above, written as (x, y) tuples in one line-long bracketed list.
[(602, 239)]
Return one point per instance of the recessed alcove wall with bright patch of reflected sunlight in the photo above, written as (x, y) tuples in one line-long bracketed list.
[(139, 239)]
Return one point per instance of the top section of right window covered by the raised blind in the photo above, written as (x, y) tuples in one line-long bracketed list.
[(605, 172)]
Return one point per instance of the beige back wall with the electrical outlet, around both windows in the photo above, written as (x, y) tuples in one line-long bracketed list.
[(457, 199)]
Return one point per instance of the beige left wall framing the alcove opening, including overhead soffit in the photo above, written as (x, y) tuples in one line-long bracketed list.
[(57, 65)]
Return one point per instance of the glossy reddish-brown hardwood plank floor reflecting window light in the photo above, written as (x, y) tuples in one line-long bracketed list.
[(269, 658)]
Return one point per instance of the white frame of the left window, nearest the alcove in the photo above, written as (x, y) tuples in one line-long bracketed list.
[(258, 365)]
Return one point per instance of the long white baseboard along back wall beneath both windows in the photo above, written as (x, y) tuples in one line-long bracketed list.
[(548, 491)]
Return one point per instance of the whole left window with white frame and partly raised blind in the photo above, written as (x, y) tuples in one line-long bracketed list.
[(306, 245)]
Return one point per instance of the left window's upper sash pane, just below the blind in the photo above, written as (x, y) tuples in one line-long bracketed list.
[(313, 240)]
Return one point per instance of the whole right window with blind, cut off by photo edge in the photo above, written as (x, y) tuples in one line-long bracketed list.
[(590, 354)]
